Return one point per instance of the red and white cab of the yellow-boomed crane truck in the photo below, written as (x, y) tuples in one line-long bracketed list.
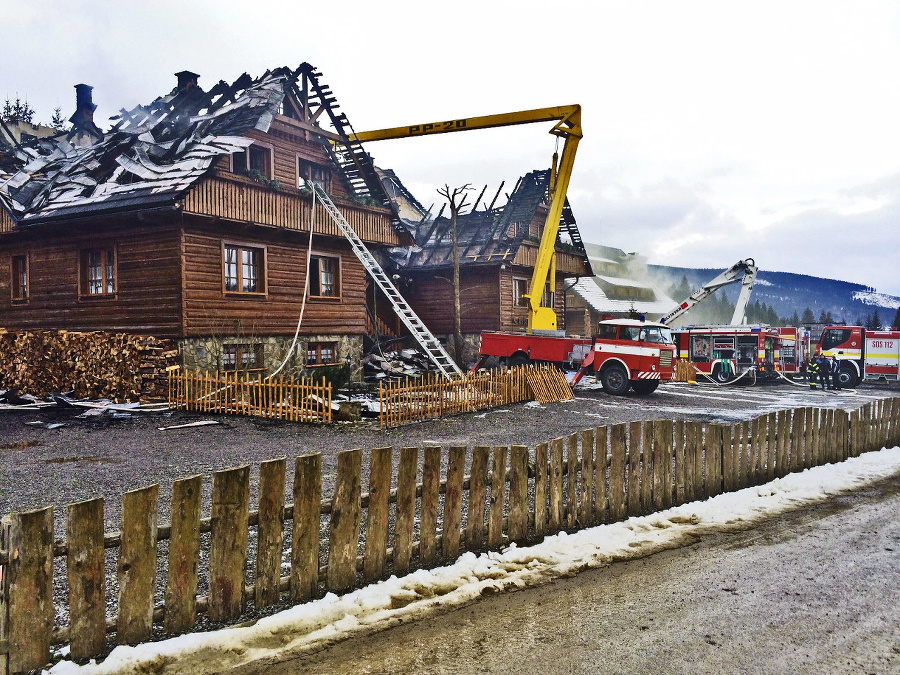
[(630, 354)]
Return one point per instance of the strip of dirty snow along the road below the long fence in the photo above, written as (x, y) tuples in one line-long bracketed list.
[(314, 625)]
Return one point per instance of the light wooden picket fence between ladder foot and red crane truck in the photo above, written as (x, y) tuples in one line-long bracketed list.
[(431, 396)]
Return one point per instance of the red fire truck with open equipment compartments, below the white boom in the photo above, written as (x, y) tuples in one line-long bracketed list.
[(726, 352)]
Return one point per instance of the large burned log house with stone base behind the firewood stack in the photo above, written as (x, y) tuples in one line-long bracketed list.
[(192, 218)]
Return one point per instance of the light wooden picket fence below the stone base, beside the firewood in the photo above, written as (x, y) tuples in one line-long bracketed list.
[(251, 393)]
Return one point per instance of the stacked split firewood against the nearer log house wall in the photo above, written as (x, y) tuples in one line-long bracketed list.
[(117, 366)]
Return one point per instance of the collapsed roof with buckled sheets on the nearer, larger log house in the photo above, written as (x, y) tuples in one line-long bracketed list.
[(155, 153)]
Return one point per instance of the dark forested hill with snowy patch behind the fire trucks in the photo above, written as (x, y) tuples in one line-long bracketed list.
[(785, 294)]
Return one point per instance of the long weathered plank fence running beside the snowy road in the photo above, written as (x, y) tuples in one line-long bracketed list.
[(595, 476)]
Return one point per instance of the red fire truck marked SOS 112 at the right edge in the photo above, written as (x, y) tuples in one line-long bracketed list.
[(864, 354)]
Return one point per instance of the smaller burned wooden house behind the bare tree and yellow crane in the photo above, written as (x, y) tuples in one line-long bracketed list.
[(498, 248)]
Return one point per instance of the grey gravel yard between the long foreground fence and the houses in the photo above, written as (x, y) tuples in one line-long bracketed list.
[(104, 457)]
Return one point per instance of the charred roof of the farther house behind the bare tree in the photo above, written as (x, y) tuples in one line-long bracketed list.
[(489, 236)]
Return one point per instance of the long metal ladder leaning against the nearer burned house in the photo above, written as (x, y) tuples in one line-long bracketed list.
[(419, 331)]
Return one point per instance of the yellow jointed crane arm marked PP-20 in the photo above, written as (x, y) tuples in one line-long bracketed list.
[(568, 126)]
